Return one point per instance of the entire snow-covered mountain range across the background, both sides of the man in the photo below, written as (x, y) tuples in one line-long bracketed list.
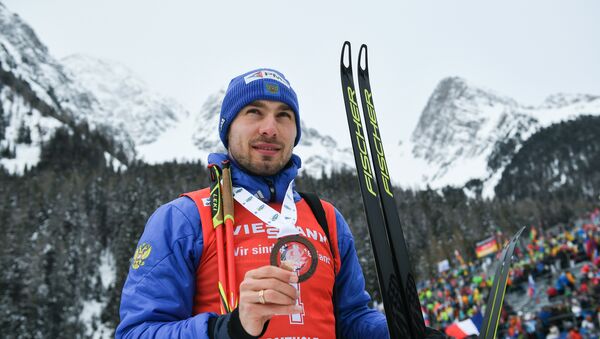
[(464, 132)]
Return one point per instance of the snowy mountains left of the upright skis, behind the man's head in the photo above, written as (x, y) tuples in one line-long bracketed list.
[(40, 94)]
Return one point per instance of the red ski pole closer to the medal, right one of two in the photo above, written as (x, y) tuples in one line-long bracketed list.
[(228, 218)]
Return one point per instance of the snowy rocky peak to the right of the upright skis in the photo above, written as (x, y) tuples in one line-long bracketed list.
[(468, 132)]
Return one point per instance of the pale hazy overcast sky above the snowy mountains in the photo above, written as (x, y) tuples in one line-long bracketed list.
[(190, 49)]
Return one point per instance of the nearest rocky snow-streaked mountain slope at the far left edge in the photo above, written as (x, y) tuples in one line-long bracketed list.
[(37, 97)]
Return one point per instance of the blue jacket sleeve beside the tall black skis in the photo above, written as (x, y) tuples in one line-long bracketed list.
[(355, 317)]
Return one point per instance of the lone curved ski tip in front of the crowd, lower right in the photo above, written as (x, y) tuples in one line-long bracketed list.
[(493, 308)]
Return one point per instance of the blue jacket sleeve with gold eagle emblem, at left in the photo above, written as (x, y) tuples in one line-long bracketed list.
[(157, 297)]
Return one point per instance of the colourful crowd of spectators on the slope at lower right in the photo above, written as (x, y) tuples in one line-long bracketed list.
[(555, 276)]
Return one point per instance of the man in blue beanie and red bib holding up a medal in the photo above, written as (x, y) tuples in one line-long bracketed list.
[(171, 287)]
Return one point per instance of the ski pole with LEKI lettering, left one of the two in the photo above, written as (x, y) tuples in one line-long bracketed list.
[(216, 205)]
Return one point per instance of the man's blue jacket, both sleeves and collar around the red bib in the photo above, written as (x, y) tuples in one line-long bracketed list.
[(158, 294)]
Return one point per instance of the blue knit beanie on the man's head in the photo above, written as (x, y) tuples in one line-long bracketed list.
[(259, 84)]
